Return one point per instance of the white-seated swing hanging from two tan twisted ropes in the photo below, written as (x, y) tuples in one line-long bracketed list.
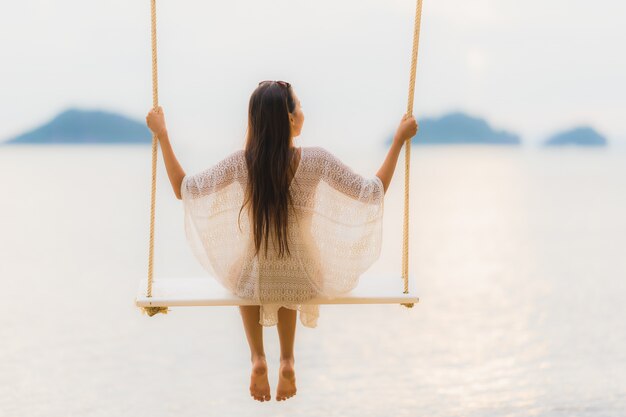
[(156, 295)]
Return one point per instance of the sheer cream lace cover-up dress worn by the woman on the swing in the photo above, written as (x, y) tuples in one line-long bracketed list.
[(334, 233)]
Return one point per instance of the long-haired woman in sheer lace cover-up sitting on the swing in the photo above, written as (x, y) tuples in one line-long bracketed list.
[(324, 222)]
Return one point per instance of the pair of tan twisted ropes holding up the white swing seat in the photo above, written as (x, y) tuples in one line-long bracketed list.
[(151, 311)]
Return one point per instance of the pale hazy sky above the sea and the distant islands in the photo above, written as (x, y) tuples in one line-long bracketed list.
[(533, 67)]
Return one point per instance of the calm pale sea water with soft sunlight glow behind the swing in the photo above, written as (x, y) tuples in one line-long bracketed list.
[(519, 258)]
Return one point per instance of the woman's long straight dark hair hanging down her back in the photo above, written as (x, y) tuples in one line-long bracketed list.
[(268, 155)]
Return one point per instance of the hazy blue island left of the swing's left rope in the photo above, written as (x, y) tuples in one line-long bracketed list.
[(76, 126)]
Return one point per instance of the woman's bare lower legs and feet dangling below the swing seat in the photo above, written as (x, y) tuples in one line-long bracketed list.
[(259, 385)]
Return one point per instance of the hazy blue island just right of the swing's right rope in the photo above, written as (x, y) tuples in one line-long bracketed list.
[(460, 128)]
